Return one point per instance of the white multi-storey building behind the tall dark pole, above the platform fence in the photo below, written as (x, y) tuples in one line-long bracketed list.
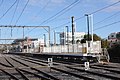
[(67, 37)]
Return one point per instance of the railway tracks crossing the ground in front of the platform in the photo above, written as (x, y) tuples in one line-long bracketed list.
[(28, 68)]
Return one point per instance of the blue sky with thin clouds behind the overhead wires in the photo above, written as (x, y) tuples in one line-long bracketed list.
[(38, 11)]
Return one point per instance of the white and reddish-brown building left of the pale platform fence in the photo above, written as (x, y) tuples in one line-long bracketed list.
[(28, 45)]
